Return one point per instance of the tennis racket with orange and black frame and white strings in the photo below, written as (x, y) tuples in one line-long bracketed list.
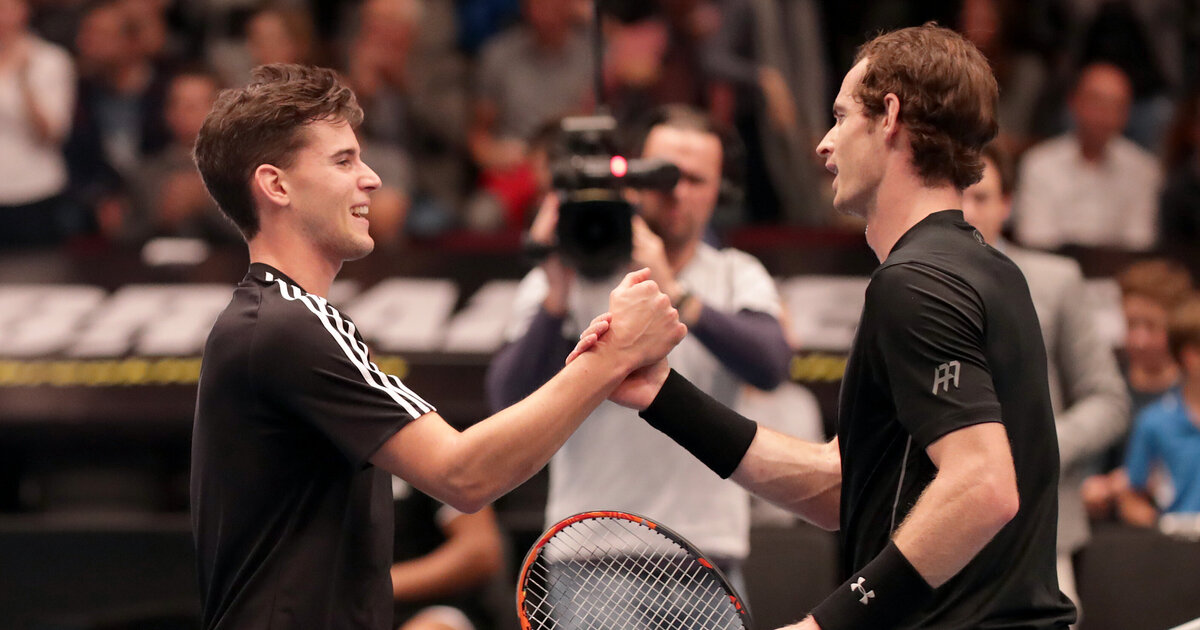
[(608, 571)]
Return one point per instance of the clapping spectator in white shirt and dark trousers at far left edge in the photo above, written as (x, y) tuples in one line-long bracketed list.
[(37, 99)]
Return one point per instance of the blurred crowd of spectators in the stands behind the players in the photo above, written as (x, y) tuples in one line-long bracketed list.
[(101, 101)]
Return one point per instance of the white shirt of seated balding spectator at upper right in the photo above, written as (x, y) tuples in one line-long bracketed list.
[(1064, 200)]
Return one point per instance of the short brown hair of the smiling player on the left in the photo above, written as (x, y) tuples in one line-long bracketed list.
[(263, 124)]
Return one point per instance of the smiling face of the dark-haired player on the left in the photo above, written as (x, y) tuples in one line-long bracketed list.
[(329, 190)]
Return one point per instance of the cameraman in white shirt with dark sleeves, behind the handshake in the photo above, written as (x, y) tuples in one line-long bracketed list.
[(616, 461)]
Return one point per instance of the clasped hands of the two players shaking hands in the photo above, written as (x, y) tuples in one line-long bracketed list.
[(639, 331)]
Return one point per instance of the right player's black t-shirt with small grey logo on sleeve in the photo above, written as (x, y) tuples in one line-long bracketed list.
[(950, 339)]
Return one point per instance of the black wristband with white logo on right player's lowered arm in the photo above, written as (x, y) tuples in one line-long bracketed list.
[(881, 596)]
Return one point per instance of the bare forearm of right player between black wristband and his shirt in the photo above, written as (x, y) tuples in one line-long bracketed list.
[(801, 477)]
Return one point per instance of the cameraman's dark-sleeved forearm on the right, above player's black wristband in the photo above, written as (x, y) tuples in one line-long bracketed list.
[(749, 344)]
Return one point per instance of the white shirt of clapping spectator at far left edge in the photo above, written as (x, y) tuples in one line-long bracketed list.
[(31, 170)]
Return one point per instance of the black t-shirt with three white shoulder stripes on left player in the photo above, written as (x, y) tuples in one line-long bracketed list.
[(292, 524)]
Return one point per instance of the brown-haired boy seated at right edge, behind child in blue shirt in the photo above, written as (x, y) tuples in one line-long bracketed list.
[(1150, 290)]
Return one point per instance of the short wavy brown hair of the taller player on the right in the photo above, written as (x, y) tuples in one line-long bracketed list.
[(947, 97)]
